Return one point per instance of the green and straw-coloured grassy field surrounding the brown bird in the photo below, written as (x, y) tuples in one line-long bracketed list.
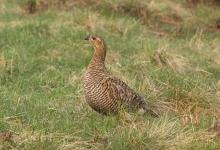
[(167, 50)]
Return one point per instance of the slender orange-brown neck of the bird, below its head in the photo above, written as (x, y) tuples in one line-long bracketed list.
[(98, 59)]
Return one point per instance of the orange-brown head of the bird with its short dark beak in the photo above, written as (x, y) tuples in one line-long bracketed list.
[(97, 42)]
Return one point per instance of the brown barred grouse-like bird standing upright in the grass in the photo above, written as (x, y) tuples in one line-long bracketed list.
[(105, 93)]
